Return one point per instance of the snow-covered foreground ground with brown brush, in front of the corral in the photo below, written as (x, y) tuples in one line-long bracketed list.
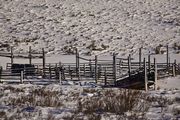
[(84, 100)]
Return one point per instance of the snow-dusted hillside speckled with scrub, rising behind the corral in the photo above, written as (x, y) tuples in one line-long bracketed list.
[(92, 26)]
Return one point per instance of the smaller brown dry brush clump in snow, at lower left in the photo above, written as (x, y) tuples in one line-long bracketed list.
[(38, 97)]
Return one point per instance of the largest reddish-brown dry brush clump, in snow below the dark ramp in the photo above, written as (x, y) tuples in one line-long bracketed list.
[(110, 101)]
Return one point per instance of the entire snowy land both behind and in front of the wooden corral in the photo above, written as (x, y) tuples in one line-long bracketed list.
[(95, 27)]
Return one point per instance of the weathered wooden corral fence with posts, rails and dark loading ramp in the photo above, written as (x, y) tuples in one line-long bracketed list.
[(119, 72)]
